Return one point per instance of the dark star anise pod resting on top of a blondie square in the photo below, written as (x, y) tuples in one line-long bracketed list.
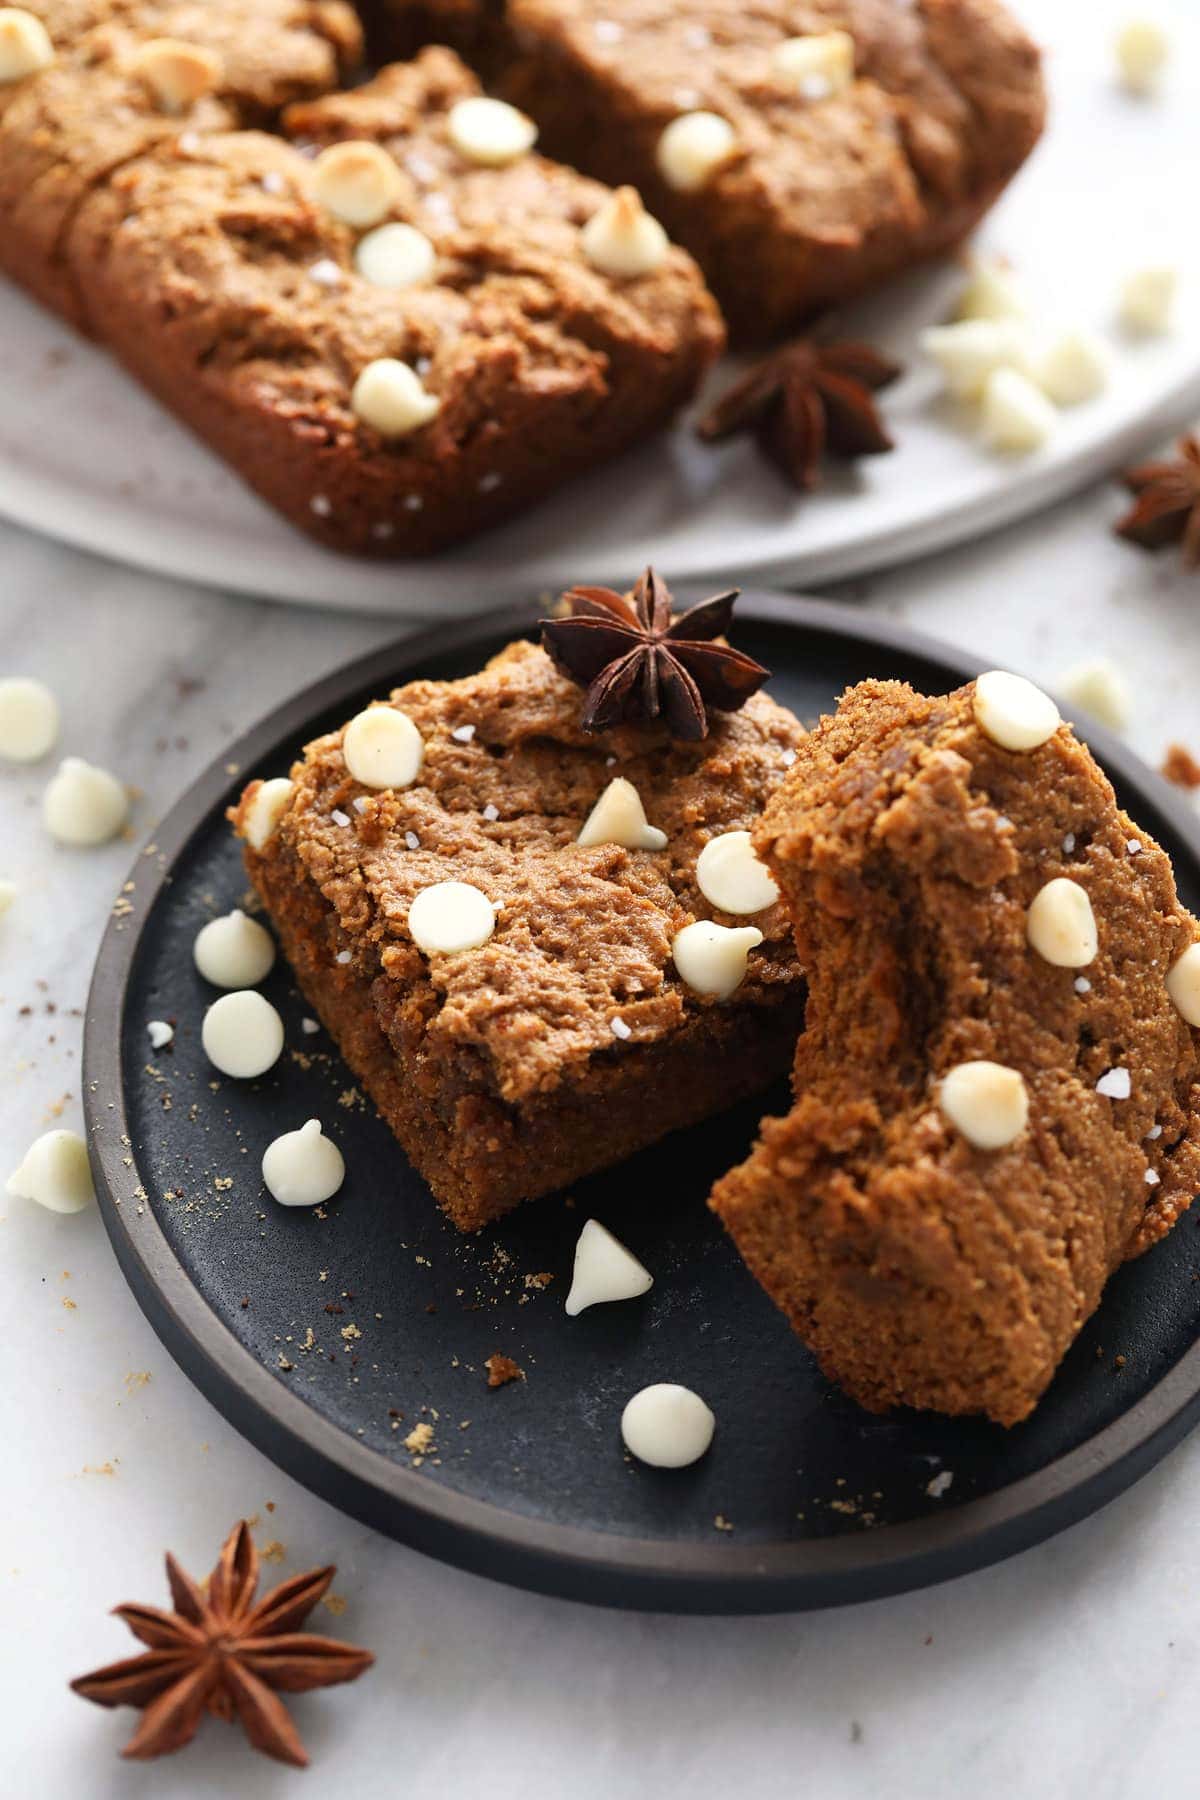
[(638, 661)]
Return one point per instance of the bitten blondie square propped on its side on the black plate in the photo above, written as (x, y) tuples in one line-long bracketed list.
[(998, 1086)]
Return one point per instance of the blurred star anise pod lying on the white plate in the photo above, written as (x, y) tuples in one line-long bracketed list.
[(809, 400)]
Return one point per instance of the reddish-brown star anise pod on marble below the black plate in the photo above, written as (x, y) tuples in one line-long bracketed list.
[(220, 1653)]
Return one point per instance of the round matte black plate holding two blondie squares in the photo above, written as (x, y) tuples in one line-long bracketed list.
[(325, 1340)]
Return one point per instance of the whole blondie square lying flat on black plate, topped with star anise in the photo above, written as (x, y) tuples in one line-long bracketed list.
[(566, 1039)]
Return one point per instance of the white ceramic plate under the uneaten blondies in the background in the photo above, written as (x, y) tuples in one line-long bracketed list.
[(89, 458)]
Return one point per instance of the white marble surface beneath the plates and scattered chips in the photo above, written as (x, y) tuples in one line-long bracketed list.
[(1066, 1673)]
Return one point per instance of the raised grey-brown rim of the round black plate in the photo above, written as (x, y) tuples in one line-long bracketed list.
[(483, 1536)]
